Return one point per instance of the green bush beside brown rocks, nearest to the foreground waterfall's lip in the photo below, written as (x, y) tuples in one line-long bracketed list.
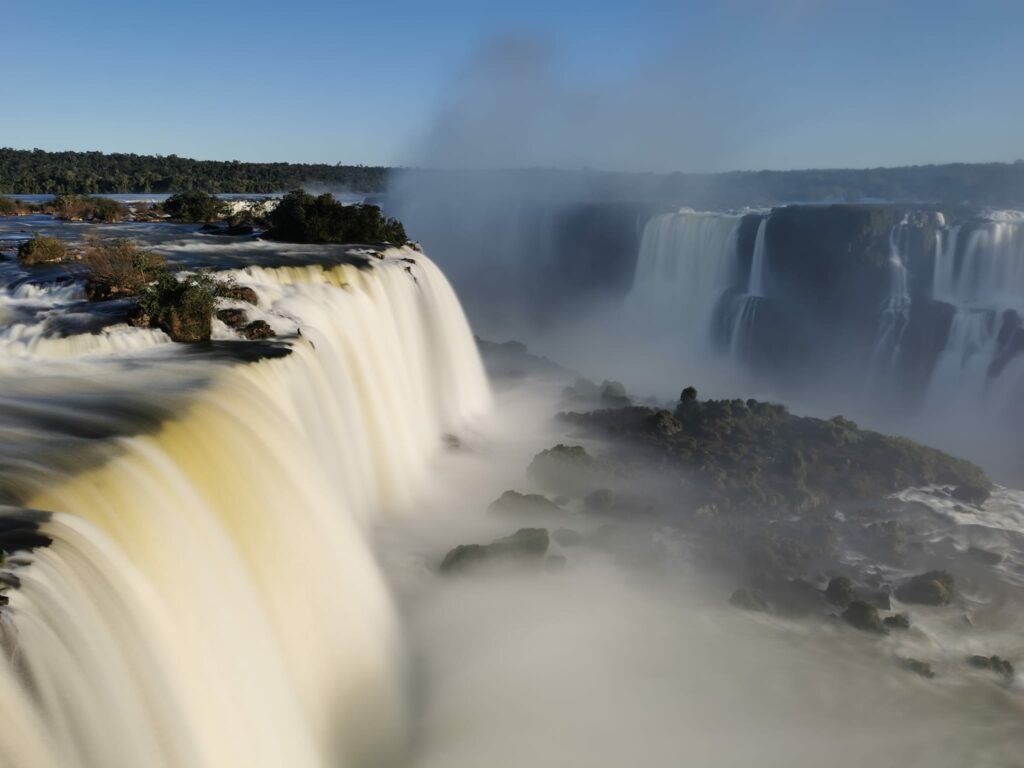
[(181, 308)]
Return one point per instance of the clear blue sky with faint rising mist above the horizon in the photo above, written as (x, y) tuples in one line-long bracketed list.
[(685, 86)]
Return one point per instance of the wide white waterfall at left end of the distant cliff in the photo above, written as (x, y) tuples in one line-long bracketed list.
[(688, 262)]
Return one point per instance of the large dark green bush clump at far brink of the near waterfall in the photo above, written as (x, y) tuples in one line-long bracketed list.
[(303, 219)]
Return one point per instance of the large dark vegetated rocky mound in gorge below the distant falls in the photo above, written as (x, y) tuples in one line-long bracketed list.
[(756, 456)]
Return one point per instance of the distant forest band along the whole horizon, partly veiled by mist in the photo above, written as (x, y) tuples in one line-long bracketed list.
[(995, 185)]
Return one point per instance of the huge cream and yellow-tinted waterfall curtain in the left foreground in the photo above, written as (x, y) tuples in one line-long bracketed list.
[(210, 598)]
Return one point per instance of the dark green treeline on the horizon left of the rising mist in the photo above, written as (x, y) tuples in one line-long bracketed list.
[(39, 173)]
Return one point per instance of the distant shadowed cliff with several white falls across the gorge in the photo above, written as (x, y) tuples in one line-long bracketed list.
[(884, 311)]
